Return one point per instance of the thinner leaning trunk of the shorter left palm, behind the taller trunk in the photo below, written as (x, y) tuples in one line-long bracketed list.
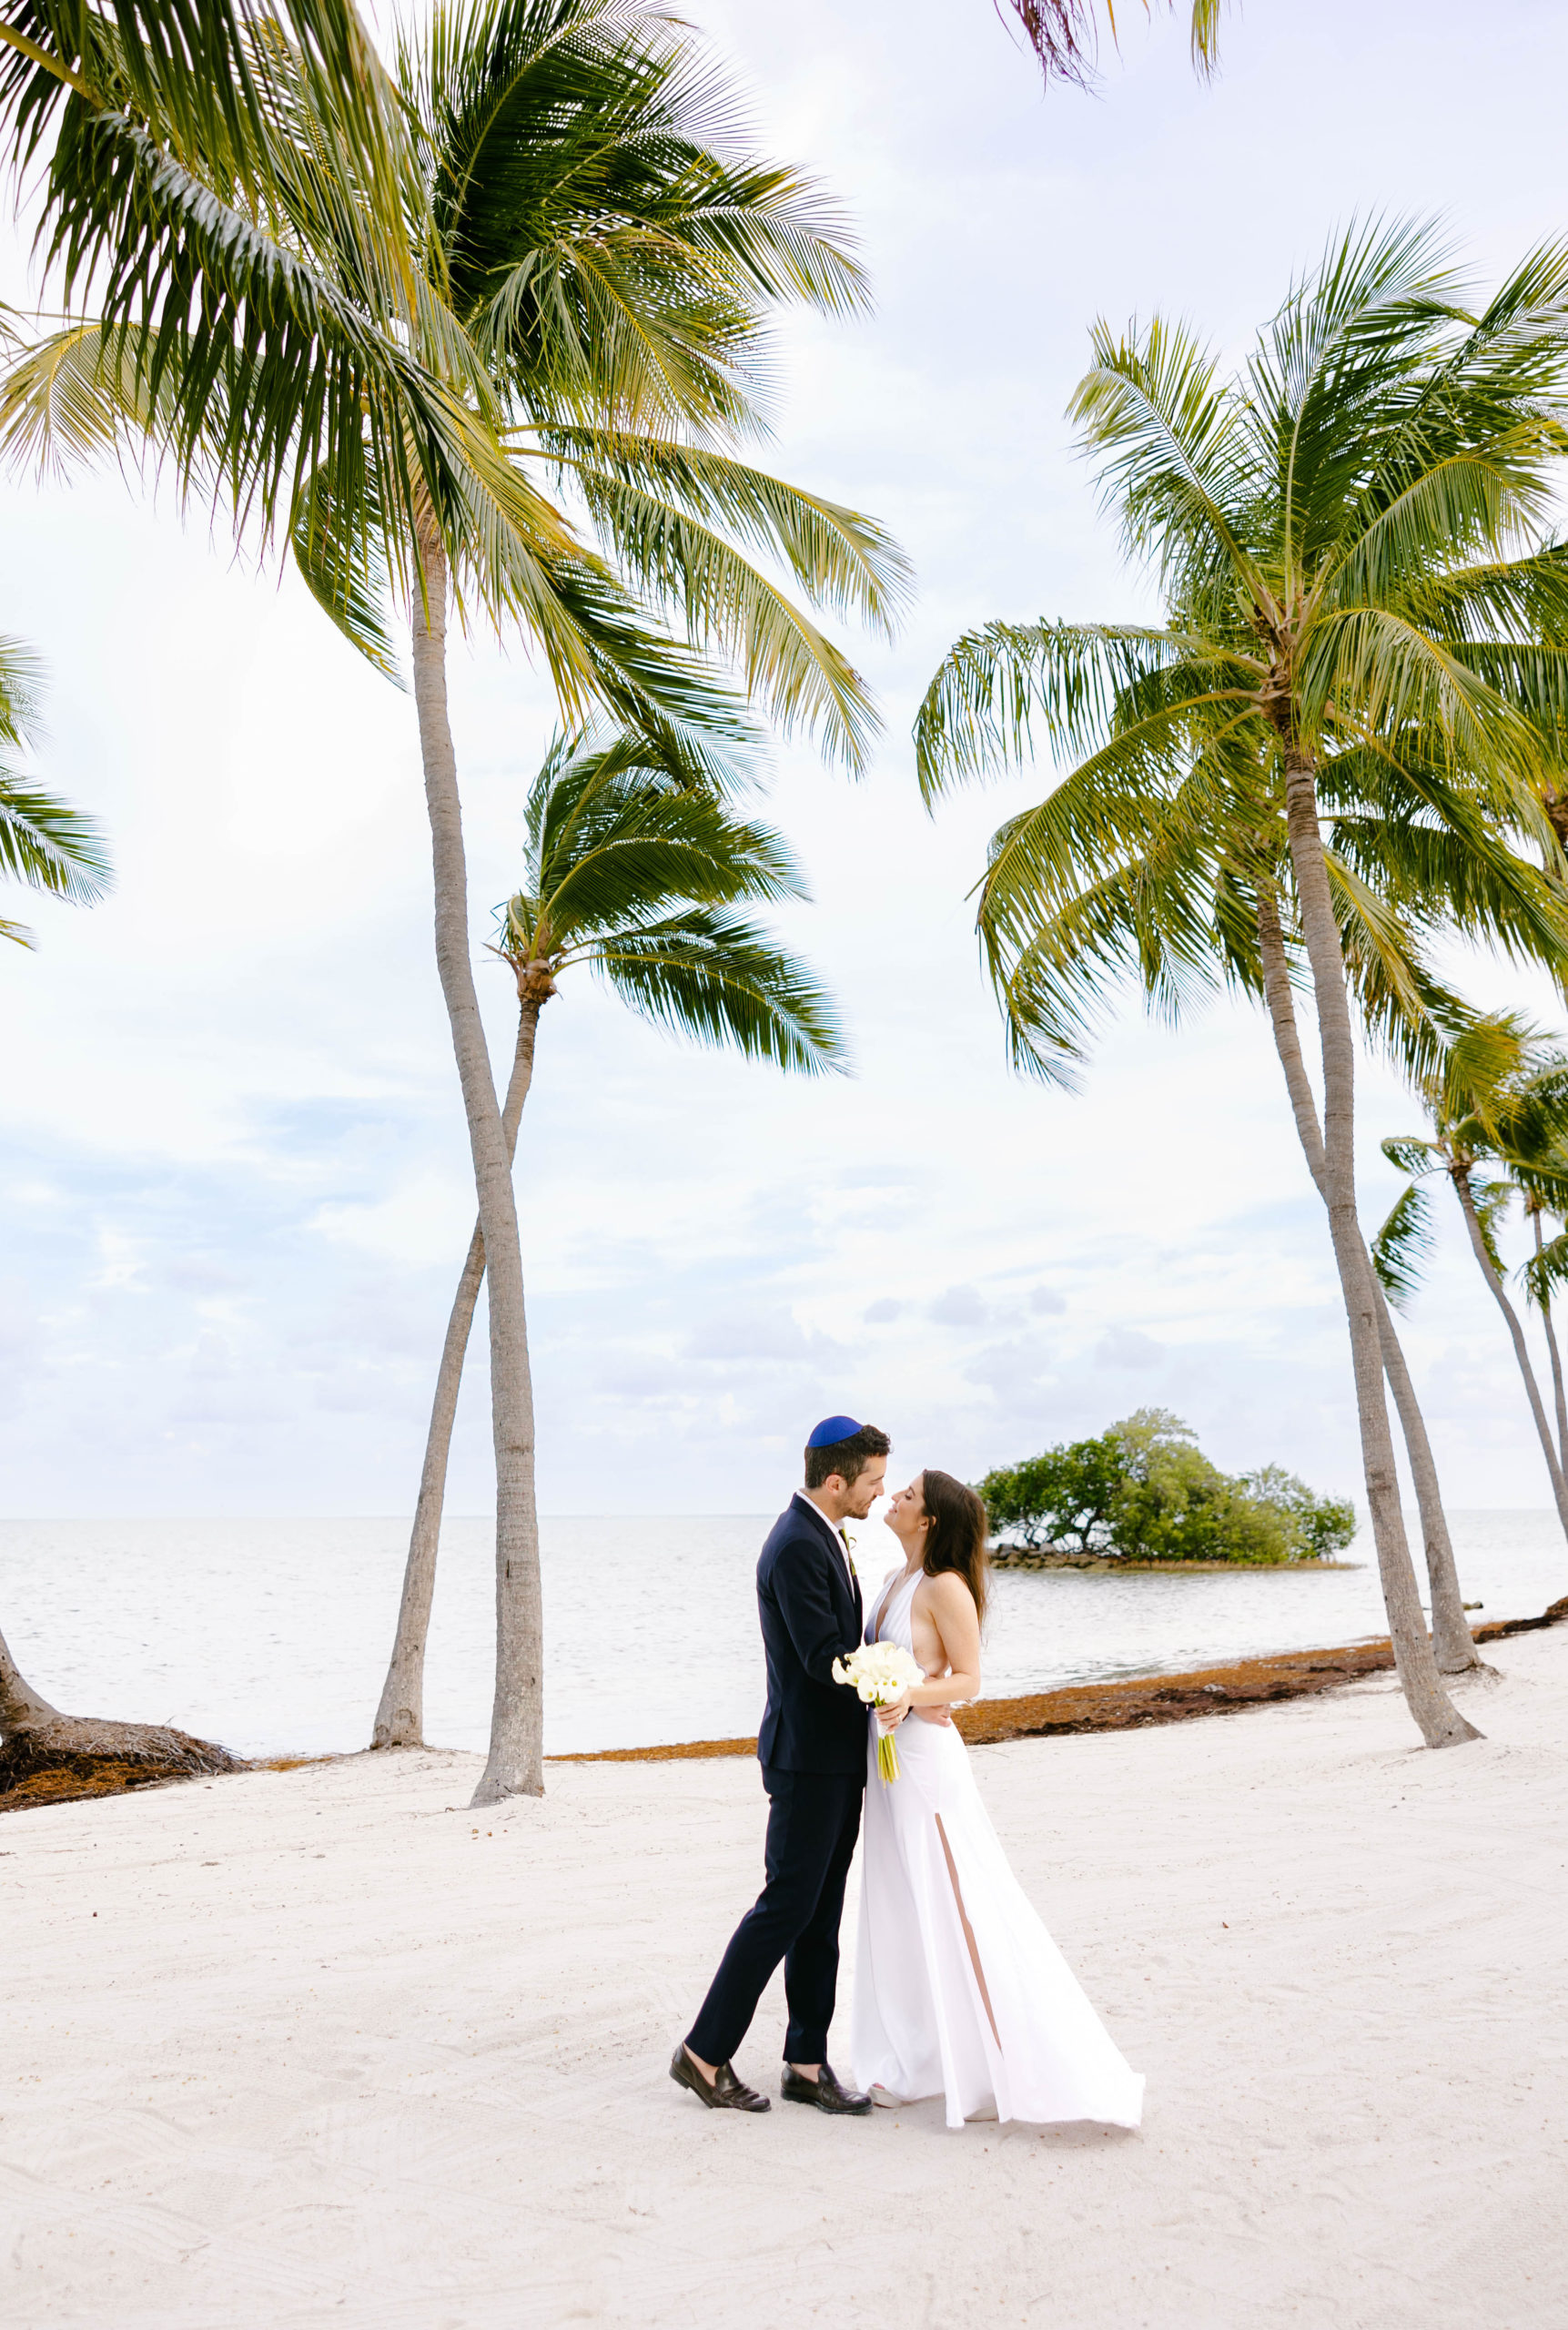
[(400, 1721)]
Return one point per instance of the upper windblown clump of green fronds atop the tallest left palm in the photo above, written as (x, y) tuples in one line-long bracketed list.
[(651, 241)]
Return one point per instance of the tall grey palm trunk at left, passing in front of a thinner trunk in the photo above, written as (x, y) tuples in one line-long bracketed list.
[(516, 1763)]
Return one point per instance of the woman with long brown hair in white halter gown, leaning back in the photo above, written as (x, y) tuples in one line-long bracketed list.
[(959, 1989)]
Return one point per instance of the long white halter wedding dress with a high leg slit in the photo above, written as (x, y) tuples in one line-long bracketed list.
[(1026, 2045)]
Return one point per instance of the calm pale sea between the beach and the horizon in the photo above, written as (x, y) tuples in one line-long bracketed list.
[(274, 1637)]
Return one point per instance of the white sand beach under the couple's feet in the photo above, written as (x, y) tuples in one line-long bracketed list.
[(325, 2049)]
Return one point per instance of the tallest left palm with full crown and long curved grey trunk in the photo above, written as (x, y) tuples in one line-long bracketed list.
[(593, 271)]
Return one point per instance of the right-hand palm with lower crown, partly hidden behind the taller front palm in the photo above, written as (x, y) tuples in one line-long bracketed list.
[(1199, 896)]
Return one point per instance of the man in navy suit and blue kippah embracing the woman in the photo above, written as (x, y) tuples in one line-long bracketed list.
[(814, 1770)]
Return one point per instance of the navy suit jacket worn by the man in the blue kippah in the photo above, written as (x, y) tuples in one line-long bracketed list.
[(812, 1616)]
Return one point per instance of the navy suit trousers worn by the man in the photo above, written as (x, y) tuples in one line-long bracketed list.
[(814, 1821)]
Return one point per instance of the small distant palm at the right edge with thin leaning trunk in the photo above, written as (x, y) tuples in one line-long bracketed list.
[(1499, 1099)]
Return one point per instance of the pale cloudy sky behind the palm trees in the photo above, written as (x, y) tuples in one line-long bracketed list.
[(234, 1159)]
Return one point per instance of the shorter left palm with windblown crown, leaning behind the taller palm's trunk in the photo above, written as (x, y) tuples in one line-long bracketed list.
[(633, 873)]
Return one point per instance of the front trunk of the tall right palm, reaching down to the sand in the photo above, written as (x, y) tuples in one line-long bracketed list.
[(1413, 1653)]
